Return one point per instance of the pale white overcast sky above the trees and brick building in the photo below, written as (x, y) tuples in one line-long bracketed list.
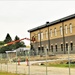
[(17, 17)]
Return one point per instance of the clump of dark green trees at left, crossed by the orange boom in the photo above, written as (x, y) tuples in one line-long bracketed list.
[(10, 47)]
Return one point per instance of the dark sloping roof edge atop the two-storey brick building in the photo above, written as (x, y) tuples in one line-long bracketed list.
[(52, 23)]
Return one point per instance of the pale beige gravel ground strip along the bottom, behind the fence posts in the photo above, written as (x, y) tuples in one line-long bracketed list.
[(36, 70)]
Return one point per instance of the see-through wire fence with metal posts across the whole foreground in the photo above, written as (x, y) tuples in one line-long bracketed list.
[(31, 64)]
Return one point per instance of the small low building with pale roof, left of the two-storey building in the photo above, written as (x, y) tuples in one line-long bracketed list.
[(22, 51)]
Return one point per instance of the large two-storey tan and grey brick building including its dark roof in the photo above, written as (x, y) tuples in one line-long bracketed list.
[(56, 37)]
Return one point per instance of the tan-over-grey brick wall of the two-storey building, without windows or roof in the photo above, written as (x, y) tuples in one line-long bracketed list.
[(59, 39)]
